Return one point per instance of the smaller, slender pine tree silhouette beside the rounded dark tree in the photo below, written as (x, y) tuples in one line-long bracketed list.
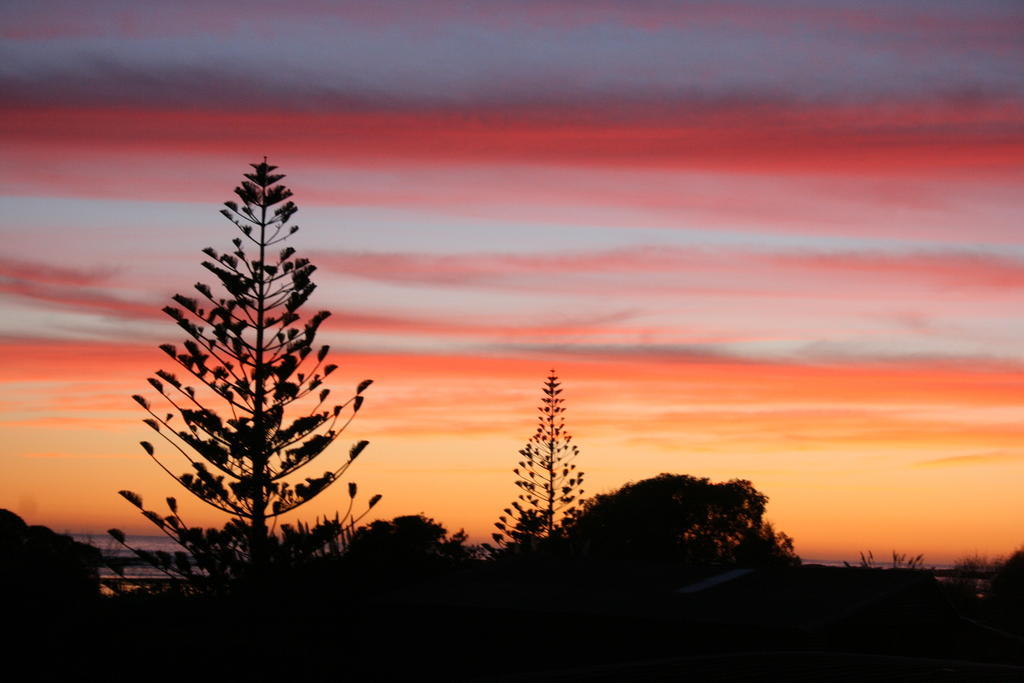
[(550, 483)]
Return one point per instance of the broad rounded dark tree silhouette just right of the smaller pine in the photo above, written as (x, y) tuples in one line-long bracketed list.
[(679, 519)]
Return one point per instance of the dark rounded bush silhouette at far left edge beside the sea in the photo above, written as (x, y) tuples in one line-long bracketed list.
[(40, 568)]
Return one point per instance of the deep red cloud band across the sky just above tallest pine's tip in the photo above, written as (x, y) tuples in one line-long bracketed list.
[(920, 138)]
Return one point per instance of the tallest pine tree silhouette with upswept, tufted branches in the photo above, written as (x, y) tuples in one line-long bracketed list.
[(251, 353)]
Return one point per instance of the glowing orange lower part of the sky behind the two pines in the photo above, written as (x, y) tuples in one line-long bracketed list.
[(854, 457)]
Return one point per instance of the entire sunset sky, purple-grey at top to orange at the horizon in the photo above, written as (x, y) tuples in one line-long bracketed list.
[(779, 241)]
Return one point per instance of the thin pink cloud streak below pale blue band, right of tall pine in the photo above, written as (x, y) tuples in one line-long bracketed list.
[(698, 270)]
